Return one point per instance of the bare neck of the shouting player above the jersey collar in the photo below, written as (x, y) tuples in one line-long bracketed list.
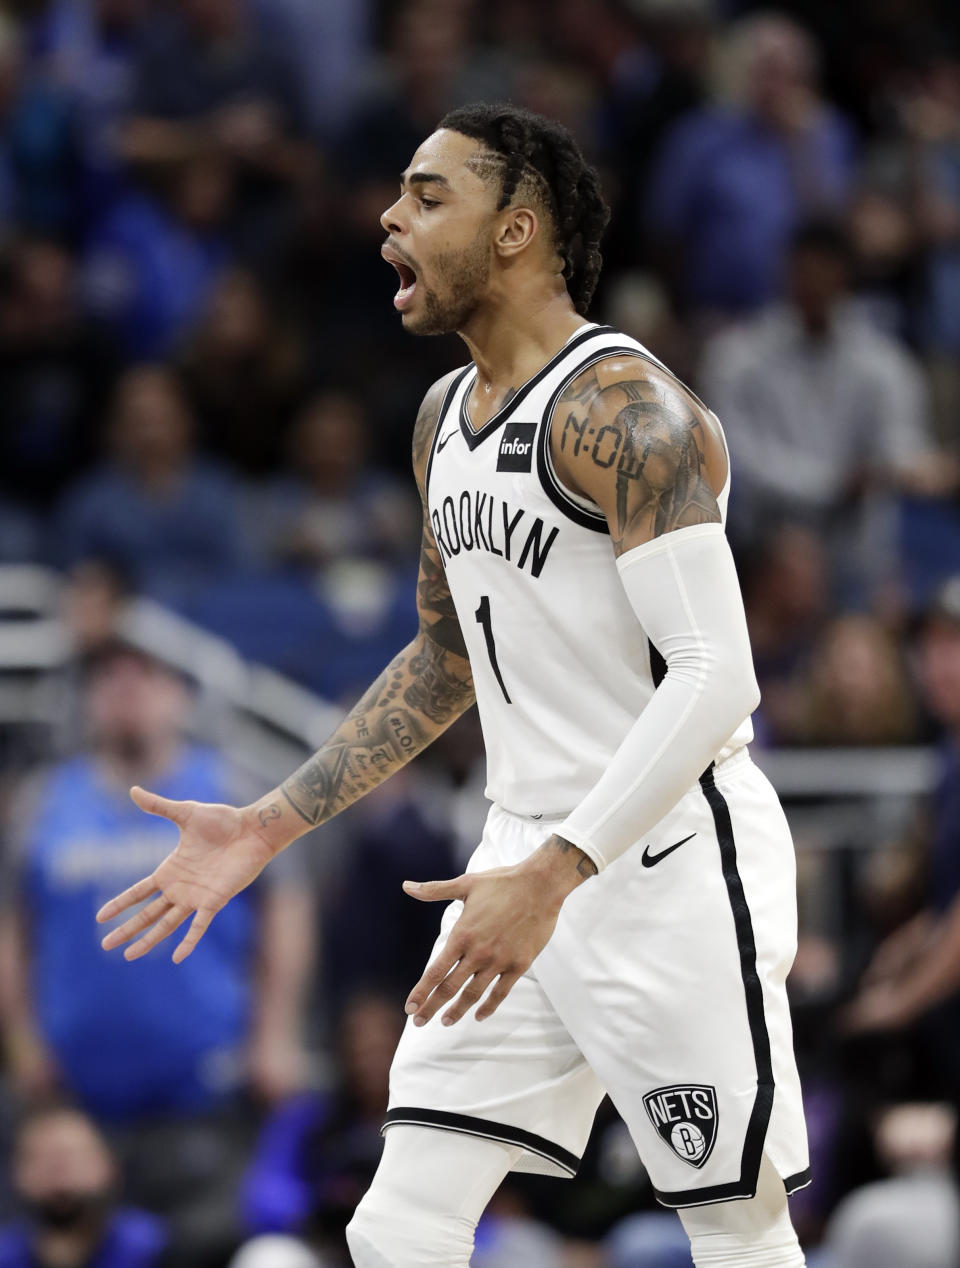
[(512, 340)]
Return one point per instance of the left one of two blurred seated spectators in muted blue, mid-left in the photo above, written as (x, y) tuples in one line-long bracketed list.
[(153, 509)]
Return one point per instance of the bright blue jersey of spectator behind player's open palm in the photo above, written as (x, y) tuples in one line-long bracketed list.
[(130, 1040)]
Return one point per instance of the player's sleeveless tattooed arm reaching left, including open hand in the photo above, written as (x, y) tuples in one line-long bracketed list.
[(224, 849)]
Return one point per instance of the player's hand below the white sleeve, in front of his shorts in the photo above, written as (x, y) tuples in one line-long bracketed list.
[(509, 916)]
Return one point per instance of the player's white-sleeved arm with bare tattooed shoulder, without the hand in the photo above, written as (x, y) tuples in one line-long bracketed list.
[(645, 450)]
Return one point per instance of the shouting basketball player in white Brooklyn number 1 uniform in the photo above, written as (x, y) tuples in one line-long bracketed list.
[(628, 920)]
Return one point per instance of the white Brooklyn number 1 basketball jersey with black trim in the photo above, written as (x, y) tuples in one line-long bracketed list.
[(561, 665)]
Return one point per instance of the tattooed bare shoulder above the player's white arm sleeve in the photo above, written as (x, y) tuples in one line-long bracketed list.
[(651, 436)]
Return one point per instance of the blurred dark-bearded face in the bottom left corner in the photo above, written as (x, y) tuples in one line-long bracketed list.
[(63, 1170)]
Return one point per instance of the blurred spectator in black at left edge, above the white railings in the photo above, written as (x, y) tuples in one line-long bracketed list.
[(55, 373)]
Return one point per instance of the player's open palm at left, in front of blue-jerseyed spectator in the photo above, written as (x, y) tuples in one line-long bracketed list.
[(220, 853)]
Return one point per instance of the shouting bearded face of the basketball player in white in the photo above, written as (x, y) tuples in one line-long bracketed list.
[(442, 233)]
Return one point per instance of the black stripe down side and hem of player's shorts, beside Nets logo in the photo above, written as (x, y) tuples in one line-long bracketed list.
[(746, 1186)]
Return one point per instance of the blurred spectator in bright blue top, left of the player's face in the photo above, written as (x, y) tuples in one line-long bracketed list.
[(152, 264)]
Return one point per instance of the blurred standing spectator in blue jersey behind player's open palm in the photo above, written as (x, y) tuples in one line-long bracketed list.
[(158, 1054)]
